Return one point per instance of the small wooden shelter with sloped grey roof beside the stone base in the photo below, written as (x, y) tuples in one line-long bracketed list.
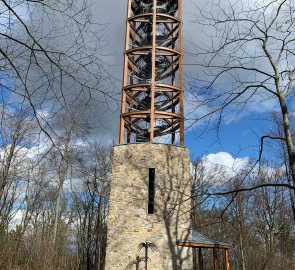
[(201, 242)]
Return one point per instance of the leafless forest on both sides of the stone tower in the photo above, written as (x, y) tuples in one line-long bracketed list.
[(54, 180)]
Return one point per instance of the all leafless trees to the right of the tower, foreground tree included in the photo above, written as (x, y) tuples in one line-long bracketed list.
[(248, 59)]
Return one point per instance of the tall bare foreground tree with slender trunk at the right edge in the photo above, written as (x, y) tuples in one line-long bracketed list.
[(248, 59)]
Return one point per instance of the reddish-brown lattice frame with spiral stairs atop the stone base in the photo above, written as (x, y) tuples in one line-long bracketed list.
[(152, 95)]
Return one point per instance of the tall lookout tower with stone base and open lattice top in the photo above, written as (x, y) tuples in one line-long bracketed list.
[(150, 186)]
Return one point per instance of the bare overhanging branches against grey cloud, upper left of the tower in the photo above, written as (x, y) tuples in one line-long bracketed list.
[(50, 57)]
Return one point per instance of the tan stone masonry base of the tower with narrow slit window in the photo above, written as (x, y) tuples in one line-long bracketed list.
[(129, 223)]
